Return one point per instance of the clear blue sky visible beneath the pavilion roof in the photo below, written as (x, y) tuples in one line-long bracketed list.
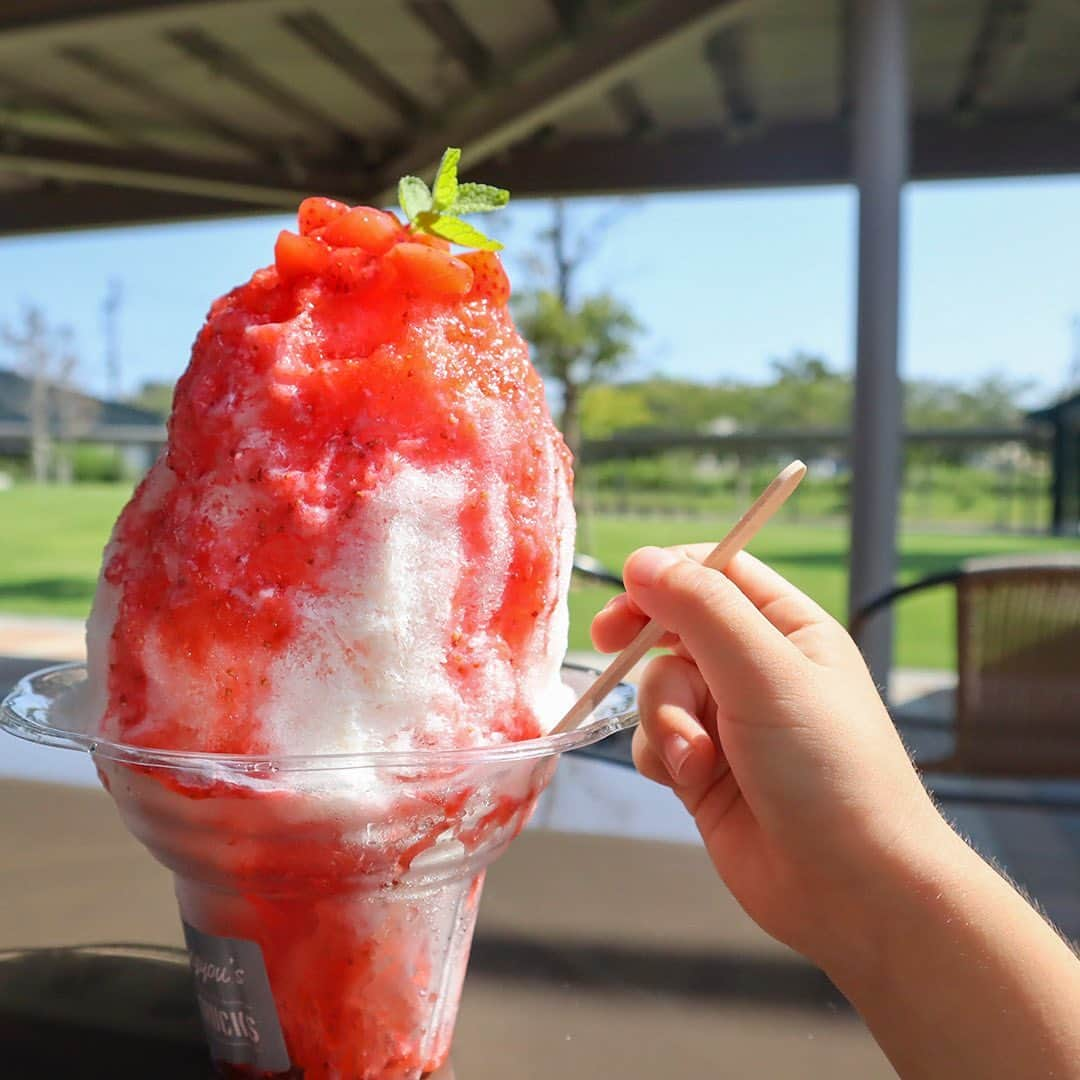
[(723, 281)]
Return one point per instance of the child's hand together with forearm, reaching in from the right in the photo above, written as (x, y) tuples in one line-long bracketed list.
[(766, 724)]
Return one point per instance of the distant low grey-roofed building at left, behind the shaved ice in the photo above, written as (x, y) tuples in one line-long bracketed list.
[(65, 415)]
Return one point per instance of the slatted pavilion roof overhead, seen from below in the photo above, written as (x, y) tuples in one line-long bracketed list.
[(131, 111)]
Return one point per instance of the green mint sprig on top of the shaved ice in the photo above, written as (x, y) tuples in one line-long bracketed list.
[(437, 210)]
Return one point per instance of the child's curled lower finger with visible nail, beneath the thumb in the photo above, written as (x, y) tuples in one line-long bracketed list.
[(674, 745)]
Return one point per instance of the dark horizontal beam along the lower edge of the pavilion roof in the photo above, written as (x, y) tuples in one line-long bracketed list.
[(106, 186)]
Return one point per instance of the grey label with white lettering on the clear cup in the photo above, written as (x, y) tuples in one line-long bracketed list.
[(238, 1010)]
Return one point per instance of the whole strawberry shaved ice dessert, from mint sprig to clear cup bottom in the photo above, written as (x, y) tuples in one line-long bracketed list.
[(358, 542)]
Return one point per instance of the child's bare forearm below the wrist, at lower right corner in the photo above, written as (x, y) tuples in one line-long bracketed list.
[(960, 977)]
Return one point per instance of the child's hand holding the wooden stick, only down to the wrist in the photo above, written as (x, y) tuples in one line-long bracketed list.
[(767, 725)]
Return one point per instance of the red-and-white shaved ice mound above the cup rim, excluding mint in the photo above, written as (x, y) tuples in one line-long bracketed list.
[(360, 535)]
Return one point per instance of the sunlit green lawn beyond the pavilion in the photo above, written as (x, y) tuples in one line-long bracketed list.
[(51, 543)]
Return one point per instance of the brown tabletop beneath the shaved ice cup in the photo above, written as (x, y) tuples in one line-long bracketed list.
[(595, 957)]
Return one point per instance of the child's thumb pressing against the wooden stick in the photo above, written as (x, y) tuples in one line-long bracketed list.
[(731, 641)]
